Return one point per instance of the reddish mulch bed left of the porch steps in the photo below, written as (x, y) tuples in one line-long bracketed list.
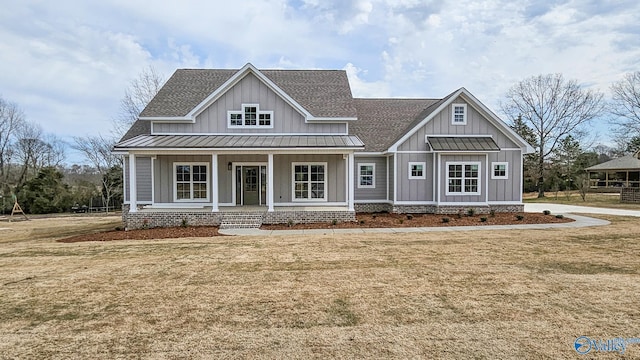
[(146, 234)]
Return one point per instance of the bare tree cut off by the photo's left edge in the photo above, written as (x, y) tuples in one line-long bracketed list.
[(11, 119)]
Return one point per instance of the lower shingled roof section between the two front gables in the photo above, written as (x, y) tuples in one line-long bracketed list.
[(382, 121)]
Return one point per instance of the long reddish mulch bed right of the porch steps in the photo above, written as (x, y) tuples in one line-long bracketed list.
[(384, 220)]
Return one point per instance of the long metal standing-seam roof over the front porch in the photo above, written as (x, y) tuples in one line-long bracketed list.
[(240, 142)]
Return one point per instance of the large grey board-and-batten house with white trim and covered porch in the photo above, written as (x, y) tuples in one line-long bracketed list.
[(275, 146)]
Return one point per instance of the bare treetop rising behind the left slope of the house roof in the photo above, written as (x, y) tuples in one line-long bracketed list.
[(136, 96)]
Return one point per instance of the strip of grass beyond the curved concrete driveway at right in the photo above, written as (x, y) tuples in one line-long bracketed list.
[(608, 200)]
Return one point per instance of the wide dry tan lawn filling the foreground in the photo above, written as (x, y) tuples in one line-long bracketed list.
[(466, 294)]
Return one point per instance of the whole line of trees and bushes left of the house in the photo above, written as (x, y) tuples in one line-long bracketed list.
[(32, 163)]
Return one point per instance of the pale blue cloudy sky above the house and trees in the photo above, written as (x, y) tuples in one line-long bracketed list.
[(67, 63)]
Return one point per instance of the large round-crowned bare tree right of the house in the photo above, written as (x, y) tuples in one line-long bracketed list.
[(554, 108)]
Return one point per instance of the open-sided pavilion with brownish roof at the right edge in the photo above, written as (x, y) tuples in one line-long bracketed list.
[(623, 172)]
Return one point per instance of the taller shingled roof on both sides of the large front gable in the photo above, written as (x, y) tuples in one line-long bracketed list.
[(323, 93)]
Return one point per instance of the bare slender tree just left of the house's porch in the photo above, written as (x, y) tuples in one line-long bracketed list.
[(98, 150)]
